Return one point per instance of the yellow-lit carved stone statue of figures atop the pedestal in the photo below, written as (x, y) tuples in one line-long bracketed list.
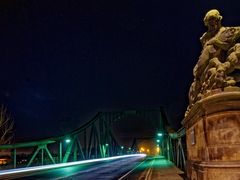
[(218, 66)]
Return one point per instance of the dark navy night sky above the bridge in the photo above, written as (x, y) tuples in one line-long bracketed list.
[(63, 61)]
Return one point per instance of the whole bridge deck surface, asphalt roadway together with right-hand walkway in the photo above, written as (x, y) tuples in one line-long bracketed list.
[(127, 168)]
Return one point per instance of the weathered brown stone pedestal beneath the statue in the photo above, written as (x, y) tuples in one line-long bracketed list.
[(213, 137)]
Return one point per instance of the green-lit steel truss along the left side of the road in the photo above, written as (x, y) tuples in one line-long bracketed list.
[(94, 139)]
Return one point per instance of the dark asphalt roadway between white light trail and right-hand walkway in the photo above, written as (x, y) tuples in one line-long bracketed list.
[(110, 169)]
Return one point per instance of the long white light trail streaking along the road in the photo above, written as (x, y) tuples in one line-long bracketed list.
[(47, 167)]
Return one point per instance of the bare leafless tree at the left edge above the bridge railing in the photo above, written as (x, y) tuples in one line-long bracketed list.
[(6, 126)]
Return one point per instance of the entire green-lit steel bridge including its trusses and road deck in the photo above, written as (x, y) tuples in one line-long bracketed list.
[(98, 150)]
